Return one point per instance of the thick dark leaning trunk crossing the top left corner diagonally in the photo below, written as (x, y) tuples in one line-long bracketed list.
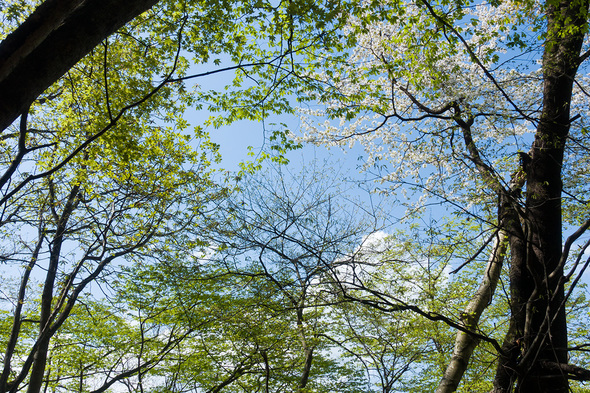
[(50, 42)]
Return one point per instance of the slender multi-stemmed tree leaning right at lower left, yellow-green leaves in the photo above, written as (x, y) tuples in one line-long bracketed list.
[(87, 219)]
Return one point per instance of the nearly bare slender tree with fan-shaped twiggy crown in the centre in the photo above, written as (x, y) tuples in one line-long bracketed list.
[(286, 232)]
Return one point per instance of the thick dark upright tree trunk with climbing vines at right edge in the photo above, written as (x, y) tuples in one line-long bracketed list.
[(538, 331)]
